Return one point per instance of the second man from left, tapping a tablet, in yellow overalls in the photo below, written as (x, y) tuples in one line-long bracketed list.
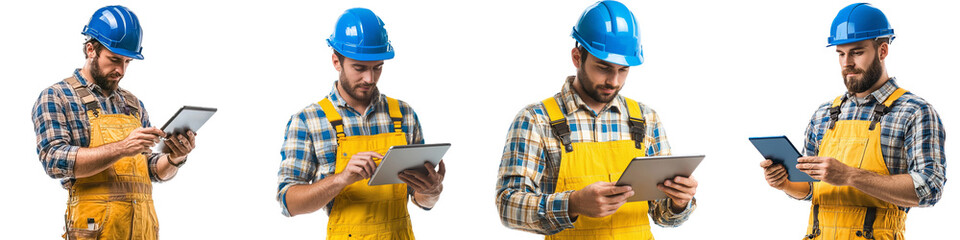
[(332, 147)]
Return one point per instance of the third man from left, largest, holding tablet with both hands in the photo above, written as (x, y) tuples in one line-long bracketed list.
[(562, 155)]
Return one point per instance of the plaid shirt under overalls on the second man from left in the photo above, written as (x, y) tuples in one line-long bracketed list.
[(310, 144)]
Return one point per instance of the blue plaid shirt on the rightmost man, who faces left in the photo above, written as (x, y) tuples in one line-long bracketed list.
[(911, 137)]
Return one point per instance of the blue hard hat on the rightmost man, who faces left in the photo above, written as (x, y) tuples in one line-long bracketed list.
[(858, 22)]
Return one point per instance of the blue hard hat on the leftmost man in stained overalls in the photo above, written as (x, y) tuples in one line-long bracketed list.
[(118, 29)]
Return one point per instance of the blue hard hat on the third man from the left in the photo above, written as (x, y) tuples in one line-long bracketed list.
[(608, 30)]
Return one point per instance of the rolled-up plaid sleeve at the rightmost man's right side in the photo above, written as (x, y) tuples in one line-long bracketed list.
[(924, 144)]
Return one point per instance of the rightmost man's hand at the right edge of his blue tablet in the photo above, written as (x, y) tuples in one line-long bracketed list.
[(826, 169)]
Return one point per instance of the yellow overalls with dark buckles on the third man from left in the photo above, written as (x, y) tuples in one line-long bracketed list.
[(584, 163)]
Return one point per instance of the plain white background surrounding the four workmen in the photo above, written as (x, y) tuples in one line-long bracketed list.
[(718, 72)]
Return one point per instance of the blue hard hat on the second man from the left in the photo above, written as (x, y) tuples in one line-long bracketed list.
[(360, 35)]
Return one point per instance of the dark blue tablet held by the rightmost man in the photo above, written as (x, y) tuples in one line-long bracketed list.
[(780, 150)]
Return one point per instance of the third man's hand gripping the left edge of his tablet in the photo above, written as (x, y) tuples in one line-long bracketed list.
[(599, 199)]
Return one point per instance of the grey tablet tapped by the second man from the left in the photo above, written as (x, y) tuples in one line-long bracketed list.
[(399, 158)]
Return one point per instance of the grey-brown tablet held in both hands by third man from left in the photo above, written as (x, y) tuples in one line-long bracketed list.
[(644, 173)]
